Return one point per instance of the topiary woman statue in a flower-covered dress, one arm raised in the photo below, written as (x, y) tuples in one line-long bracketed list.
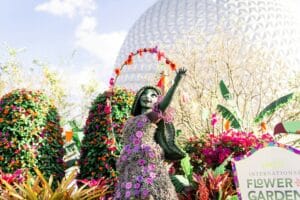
[(148, 139)]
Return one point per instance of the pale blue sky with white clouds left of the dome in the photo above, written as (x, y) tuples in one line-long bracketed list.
[(79, 38)]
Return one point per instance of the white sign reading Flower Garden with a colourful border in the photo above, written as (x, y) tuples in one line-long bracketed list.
[(269, 173)]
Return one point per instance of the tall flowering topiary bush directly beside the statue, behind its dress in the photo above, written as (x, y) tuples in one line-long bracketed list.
[(98, 150)]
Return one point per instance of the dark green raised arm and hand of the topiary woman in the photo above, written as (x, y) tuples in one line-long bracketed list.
[(169, 95)]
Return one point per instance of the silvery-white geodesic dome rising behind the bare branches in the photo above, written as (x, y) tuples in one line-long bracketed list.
[(273, 24)]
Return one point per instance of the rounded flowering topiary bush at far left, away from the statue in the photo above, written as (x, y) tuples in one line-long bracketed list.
[(30, 134)]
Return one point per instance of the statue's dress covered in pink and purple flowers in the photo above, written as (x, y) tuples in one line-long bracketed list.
[(143, 174)]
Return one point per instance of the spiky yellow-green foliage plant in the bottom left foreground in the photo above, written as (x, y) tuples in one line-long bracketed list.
[(37, 187)]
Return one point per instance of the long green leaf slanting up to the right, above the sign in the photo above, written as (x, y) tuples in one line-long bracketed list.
[(274, 106)]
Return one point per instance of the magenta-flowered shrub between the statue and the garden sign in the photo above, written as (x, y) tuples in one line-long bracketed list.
[(212, 150)]
